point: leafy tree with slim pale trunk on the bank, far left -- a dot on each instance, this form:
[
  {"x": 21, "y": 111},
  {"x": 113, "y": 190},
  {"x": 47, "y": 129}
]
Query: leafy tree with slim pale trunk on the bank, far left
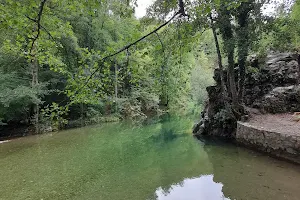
[{"x": 33, "y": 38}]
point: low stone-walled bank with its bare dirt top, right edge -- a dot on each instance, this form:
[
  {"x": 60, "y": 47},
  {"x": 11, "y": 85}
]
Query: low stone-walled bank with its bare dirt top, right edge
[{"x": 277, "y": 135}]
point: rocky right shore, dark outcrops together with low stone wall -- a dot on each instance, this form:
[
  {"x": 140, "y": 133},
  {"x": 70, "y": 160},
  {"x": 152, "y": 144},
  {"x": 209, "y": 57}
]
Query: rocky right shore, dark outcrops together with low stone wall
[{"x": 271, "y": 87}]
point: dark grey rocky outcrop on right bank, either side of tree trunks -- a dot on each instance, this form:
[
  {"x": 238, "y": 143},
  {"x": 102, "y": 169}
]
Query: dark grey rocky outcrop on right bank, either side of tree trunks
[{"x": 269, "y": 87}]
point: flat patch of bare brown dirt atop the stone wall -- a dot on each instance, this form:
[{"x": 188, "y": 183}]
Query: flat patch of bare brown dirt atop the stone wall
[{"x": 282, "y": 123}]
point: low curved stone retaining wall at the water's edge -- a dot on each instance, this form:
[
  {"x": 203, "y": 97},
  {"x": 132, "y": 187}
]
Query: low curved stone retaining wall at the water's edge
[{"x": 278, "y": 144}]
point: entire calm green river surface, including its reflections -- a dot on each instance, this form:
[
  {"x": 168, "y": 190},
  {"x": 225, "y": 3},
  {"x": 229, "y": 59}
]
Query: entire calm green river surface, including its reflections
[{"x": 158, "y": 161}]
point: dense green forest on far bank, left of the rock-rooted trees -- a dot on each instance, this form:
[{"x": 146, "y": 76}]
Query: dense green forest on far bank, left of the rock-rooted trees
[{"x": 52, "y": 66}]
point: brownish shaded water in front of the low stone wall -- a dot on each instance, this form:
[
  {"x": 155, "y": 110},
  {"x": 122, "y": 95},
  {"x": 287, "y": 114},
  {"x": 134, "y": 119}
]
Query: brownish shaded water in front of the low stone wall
[{"x": 249, "y": 175}]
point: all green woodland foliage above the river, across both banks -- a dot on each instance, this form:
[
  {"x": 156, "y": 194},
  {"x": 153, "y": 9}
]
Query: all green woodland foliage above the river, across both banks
[{"x": 60, "y": 59}]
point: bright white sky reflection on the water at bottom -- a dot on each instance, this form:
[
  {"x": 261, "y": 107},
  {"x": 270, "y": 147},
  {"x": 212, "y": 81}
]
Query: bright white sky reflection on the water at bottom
[{"x": 202, "y": 188}]
